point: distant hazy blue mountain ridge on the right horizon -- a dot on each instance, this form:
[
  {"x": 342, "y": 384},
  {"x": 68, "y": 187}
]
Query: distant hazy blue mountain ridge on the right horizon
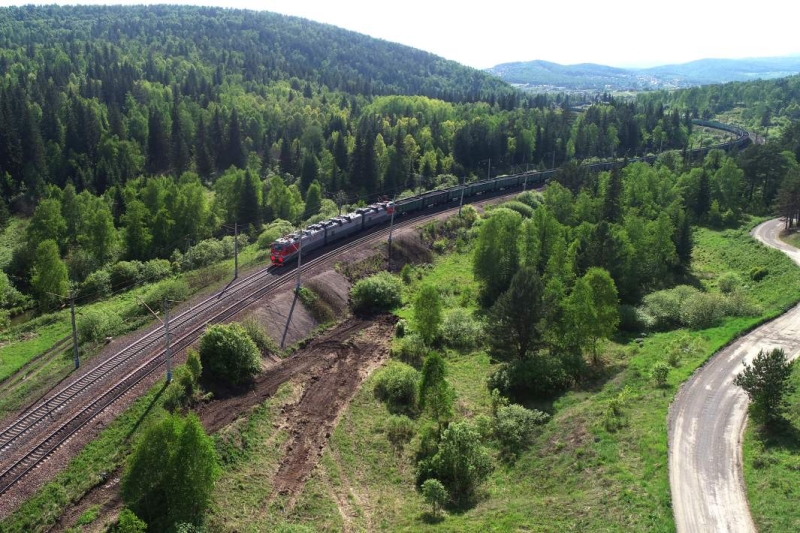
[{"x": 591, "y": 76}]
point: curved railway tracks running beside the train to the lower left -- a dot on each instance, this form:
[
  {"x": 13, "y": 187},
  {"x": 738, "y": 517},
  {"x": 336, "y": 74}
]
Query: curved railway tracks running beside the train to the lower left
[{"x": 36, "y": 434}]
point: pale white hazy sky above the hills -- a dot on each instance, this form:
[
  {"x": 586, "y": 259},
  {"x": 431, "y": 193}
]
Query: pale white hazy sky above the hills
[{"x": 488, "y": 32}]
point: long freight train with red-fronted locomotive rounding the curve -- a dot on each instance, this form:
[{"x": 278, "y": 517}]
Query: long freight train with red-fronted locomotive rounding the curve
[{"x": 286, "y": 249}]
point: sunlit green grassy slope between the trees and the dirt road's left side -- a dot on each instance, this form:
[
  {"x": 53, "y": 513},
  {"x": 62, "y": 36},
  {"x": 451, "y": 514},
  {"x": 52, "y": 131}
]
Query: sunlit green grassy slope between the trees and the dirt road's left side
[{"x": 578, "y": 475}]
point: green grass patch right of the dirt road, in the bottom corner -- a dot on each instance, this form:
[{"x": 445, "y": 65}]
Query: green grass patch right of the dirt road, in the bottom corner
[{"x": 772, "y": 469}]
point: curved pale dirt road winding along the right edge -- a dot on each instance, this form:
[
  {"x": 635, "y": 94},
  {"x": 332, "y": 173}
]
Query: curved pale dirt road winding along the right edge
[{"x": 707, "y": 419}]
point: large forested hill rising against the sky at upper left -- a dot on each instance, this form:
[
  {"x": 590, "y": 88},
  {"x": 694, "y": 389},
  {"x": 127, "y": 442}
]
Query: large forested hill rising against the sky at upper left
[{"x": 161, "y": 41}]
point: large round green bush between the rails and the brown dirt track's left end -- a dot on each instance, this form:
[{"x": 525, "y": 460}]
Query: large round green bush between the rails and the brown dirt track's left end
[{"x": 227, "y": 353}]
